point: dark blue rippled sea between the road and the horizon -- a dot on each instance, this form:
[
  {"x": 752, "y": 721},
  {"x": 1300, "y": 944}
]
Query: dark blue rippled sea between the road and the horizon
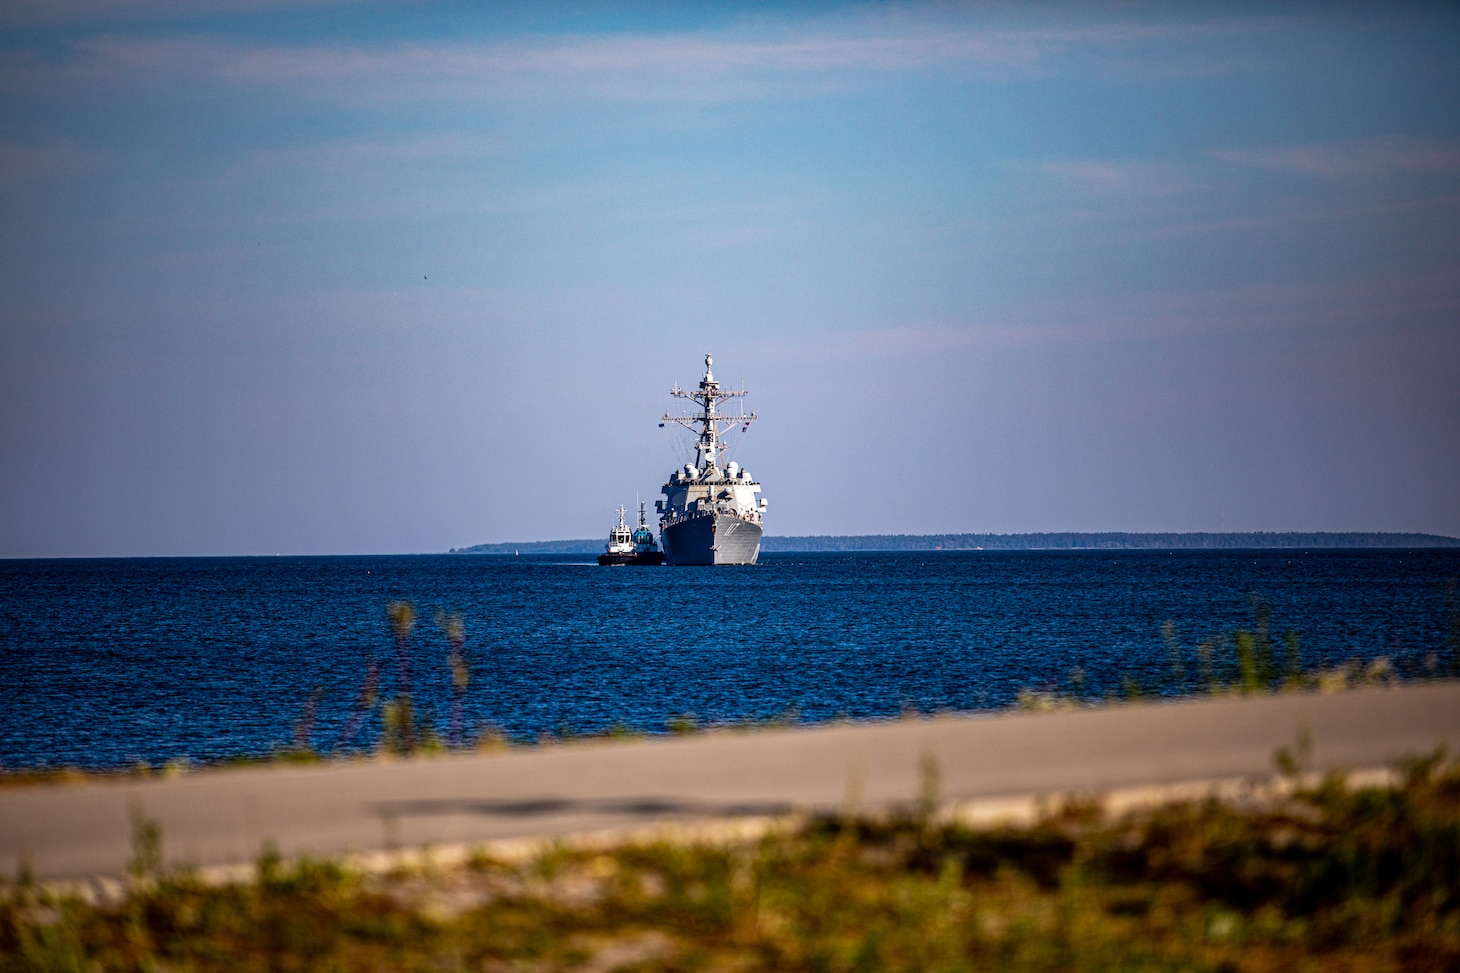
[{"x": 110, "y": 663}]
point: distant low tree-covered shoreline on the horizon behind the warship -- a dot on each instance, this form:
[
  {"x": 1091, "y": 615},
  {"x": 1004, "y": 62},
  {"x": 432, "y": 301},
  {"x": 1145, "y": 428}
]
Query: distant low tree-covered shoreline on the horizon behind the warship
[{"x": 1062, "y": 541}]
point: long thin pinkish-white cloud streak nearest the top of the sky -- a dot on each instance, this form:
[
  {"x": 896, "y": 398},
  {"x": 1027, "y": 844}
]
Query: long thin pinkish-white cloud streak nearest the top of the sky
[{"x": 776, "y": 58}]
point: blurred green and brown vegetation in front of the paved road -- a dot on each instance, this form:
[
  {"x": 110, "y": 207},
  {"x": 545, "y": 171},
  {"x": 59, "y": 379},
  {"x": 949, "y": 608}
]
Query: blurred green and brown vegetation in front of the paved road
[{"x": 1329, "y": 879}]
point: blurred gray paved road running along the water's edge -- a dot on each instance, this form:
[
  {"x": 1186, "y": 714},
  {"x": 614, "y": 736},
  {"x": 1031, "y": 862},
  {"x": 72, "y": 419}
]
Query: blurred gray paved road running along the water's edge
[{"x": 224, "y": 817}]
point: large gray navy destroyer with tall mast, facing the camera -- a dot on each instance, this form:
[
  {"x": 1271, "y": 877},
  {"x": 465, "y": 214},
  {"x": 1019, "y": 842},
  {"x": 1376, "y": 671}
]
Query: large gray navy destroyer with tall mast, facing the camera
[{"x": 712, "y": 514}]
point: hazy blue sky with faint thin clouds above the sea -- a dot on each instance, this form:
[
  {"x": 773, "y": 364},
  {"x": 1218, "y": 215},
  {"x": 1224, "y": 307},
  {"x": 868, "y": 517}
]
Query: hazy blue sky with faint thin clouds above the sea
[{"x": 372, "y": 278}]
